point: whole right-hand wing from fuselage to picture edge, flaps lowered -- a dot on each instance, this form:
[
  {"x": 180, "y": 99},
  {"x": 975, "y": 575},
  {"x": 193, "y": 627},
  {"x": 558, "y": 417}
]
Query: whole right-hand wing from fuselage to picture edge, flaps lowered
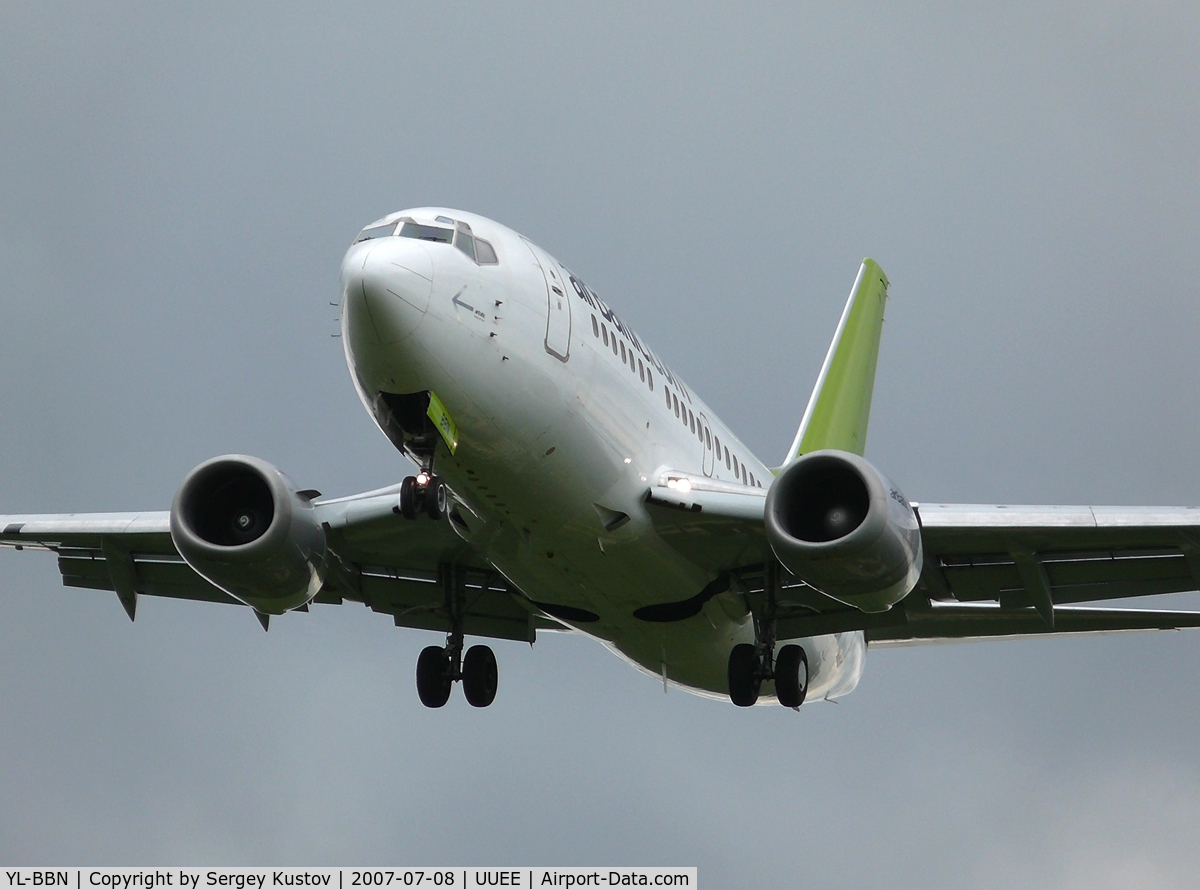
[{"x": 989, "y": 572}]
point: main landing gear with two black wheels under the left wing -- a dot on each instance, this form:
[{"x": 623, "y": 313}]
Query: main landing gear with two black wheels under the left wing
[{"x": 439, "y": 667}]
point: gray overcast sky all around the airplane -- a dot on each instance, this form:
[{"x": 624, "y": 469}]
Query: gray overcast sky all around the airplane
[{"x": 177, "y": 189}]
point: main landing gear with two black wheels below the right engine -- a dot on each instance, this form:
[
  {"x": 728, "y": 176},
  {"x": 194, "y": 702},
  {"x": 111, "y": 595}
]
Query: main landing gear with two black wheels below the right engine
[{"x": 751, "y": 664}]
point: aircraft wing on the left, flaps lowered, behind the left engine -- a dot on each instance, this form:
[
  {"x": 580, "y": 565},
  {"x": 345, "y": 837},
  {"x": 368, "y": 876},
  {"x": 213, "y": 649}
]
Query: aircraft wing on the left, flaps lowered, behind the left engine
[{"x": 377, "y": 558}]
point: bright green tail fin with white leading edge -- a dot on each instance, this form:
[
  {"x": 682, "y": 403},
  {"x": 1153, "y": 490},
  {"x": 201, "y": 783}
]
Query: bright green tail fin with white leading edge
[{"x": 841, "y": 405}]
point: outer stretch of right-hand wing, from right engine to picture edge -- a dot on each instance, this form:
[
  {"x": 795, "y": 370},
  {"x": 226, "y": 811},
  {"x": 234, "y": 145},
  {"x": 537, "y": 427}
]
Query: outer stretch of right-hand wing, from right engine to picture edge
[{"x": 1016, "y": 570}]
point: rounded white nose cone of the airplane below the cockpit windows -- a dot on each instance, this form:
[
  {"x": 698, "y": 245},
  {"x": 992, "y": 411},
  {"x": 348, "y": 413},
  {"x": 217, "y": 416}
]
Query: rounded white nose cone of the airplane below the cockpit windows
[{"x": 387, "y": 286}]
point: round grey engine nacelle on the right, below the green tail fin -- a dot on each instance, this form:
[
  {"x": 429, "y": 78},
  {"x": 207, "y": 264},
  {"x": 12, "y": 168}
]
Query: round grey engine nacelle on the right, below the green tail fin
[{"x": 838, "y": 524}]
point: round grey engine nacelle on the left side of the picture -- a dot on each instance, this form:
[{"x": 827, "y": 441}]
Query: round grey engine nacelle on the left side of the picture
[{"x": 239, "y": 524}]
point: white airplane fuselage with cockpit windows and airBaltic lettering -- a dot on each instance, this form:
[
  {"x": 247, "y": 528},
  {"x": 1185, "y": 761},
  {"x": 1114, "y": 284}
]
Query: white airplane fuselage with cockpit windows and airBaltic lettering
[{"x": 565, "y": 418}]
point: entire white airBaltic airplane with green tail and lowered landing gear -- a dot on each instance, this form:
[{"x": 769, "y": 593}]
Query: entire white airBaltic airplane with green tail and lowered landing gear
[{"x": 571, "y": 482}]
